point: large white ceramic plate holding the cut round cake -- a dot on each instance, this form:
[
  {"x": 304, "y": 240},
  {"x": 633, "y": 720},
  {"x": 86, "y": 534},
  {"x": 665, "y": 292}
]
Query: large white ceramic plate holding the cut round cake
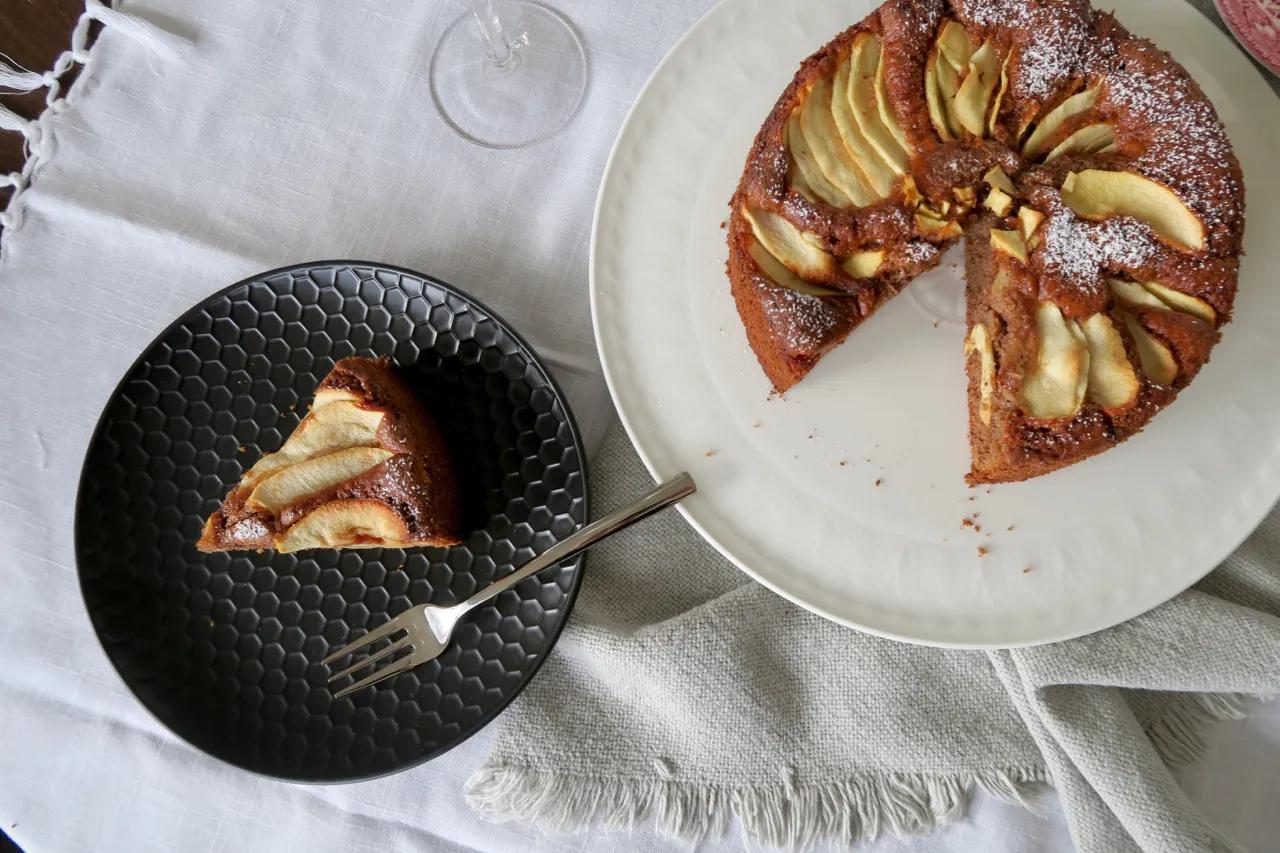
[{"x": 788, "y": 489}]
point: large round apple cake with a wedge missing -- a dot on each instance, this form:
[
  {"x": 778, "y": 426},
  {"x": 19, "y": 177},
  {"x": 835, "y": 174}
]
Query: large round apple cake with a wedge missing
[{"x": 1100, "y": 200}]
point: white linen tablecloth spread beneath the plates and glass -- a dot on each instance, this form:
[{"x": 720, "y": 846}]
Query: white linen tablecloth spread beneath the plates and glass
[{"x": 130, "y": 221}]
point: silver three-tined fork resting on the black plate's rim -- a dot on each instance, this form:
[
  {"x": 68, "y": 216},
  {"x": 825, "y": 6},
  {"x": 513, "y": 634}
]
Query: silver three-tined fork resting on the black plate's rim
[{"x": 428, "y": 628}]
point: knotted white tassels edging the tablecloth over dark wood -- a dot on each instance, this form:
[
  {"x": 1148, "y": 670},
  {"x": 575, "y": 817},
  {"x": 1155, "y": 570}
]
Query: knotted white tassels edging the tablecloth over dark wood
[{"x": 39, "y": 147}]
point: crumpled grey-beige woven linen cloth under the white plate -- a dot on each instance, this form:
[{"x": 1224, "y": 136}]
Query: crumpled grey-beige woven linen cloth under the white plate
[{"x": 685, "y": 692}]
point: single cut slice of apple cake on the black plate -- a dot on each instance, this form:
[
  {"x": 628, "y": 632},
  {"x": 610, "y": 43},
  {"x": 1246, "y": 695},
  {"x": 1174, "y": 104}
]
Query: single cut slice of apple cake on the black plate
[{"x": 367, "y": 468}]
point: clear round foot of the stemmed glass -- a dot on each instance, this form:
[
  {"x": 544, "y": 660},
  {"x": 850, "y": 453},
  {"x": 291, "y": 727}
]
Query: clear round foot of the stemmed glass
[{"x": 524, "y": 102}]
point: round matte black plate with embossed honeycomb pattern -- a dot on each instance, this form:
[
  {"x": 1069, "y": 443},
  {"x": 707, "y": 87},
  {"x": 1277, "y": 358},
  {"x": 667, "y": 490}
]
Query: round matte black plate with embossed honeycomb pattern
[{"x": 226, "y": 649}]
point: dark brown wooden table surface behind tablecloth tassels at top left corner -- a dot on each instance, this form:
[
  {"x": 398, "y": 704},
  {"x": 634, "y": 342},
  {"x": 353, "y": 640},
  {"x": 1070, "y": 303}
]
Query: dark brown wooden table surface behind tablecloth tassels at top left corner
[{"x": 33, "y": 34}]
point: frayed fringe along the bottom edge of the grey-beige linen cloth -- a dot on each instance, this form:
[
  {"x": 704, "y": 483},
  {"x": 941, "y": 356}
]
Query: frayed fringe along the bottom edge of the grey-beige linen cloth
[{"x": 790, "y": 815}]
